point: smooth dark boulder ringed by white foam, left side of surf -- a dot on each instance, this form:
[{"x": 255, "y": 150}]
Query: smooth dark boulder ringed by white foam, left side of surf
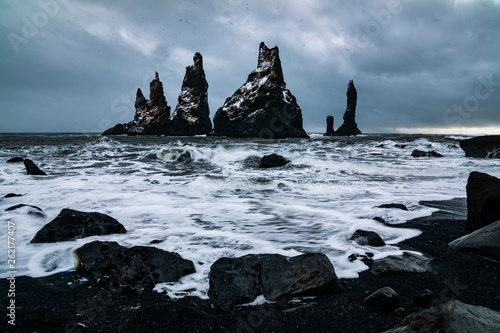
[{"x": 72, "y": 224}]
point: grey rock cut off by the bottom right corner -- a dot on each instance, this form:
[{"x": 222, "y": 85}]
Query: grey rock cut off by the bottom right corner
[{"x": 453, "y": 316}]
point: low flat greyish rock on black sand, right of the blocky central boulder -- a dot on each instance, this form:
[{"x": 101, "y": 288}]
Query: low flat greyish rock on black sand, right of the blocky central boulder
[{"x": 408, "y": 262}]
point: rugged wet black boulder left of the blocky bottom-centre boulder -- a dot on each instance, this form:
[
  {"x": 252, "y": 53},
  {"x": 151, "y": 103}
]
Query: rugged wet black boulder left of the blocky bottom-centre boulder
[{"x": 138, "y": 267}]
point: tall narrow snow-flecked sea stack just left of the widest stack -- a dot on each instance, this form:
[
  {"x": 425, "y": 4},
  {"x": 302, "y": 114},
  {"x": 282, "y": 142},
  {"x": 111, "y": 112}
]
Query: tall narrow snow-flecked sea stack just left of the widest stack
[{"x": 192, "y": 114}]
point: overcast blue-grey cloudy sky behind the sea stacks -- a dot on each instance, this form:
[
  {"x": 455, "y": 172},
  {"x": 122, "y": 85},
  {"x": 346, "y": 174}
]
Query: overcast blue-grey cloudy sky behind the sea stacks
[{"x": 418, "y": 66}]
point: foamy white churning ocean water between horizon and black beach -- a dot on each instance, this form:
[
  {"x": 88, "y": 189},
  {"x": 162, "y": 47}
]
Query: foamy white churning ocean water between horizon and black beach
[{"x": 206, "y": 198}]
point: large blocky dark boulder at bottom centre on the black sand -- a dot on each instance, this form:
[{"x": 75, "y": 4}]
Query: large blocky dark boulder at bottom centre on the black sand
[{"x": 240, "y": 280}]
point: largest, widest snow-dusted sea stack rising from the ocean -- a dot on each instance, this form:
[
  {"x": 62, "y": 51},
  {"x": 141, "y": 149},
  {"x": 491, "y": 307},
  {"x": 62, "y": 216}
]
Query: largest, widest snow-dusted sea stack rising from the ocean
[{"x": 262, "y": 107}]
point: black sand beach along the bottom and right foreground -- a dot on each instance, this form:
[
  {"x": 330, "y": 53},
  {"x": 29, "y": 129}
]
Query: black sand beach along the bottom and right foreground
[{"x": 60, "y": 303}]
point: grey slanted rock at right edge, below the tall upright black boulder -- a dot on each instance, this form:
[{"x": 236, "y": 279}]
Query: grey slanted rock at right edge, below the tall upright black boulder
[{"x": 484, "y": 241}]
